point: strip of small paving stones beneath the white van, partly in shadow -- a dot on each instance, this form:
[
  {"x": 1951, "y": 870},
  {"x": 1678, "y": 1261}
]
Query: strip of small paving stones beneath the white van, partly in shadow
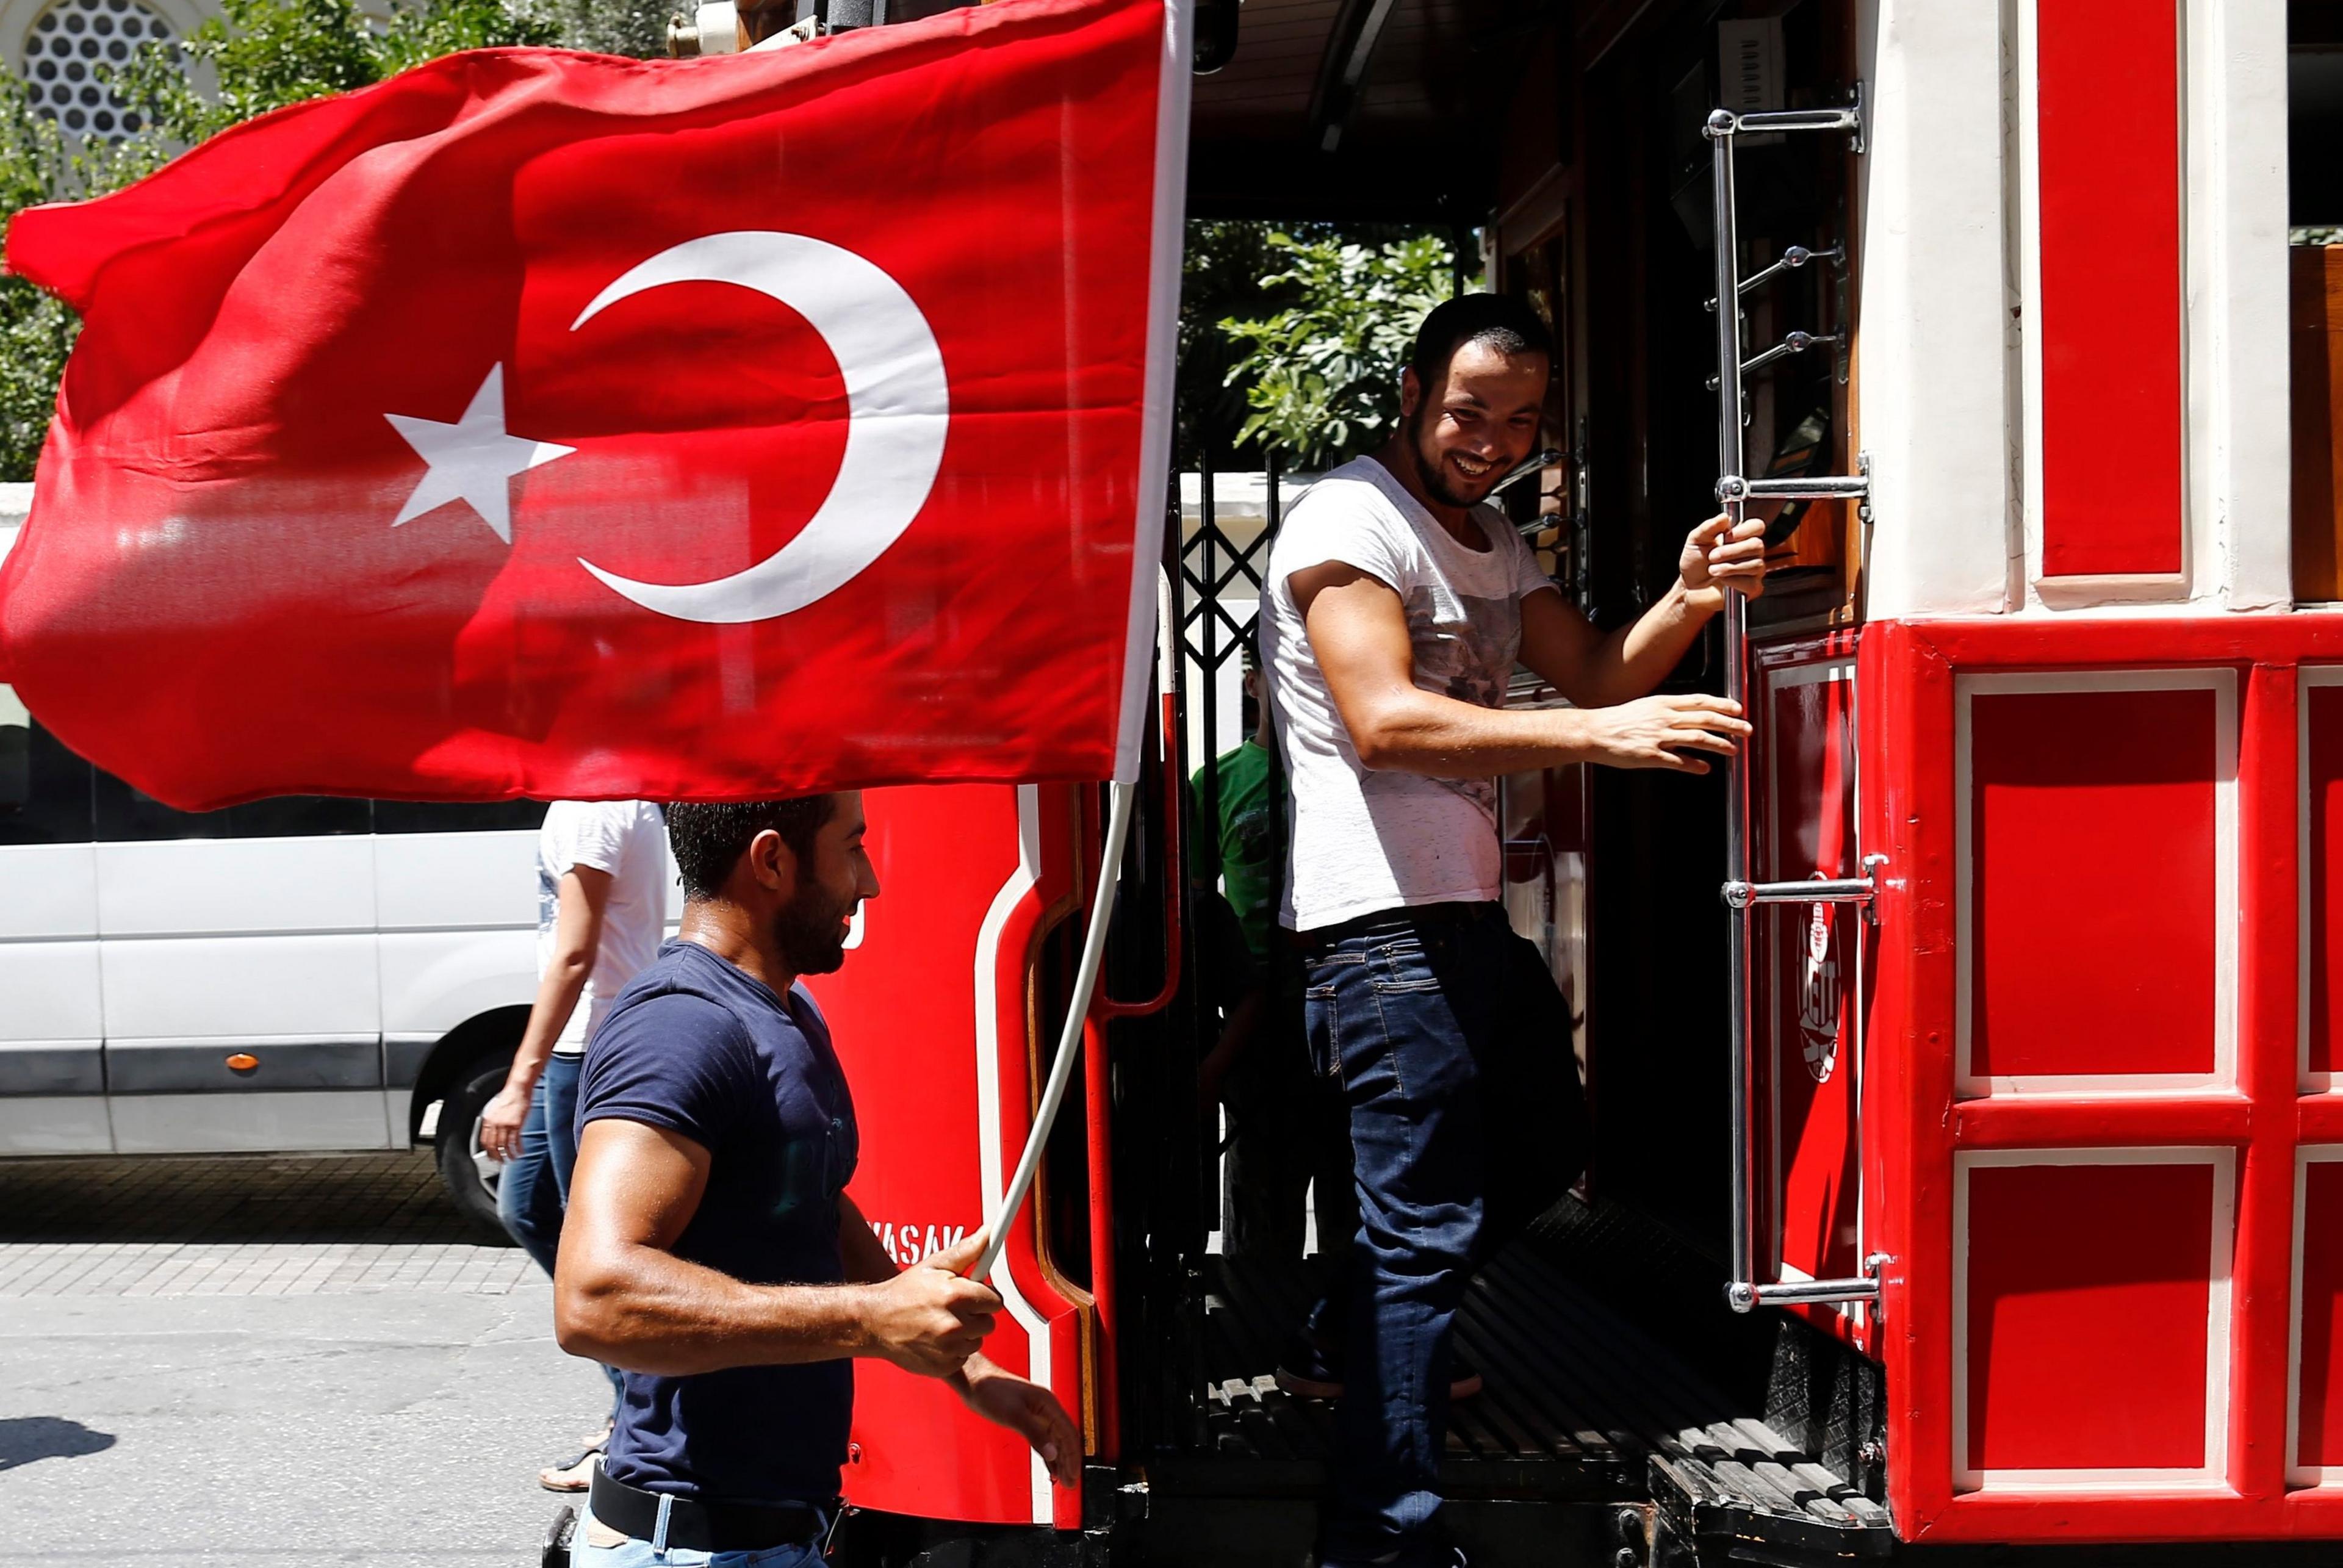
[{"x": 243, "y": 1227}]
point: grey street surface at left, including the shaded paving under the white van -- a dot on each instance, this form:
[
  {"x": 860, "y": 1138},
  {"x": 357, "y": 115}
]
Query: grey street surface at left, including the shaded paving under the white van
[{"x": 271, "y": 1363}]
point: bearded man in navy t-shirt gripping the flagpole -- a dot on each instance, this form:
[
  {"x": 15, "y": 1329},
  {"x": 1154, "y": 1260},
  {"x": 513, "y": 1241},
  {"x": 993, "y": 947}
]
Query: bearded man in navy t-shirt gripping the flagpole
[{"x": 711, "y": 1248}]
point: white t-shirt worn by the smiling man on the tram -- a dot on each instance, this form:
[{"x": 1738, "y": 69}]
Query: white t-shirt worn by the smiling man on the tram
[{"x": 1379, "y": 840}]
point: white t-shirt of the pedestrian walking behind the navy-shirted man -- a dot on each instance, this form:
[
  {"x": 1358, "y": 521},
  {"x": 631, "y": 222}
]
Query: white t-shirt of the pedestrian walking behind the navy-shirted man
[{"x": 629, "y": 840}]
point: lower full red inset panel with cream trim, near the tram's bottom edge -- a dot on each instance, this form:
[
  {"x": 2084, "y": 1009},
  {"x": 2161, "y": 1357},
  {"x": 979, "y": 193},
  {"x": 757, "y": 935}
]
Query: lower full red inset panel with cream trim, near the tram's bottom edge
[{"x": 2089, "y": 1293}]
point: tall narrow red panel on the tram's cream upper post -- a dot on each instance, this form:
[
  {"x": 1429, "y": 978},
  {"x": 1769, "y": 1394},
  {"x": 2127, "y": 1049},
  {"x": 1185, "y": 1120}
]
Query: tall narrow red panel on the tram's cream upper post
[{"x": 2110, "y": 313}]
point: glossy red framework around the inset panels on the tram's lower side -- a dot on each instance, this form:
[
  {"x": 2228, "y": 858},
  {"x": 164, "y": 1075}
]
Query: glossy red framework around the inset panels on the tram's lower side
[{"x": 1915, "y": 1124}]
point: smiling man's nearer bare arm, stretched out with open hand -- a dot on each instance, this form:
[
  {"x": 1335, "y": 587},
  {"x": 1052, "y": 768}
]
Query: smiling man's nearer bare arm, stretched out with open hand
[{"x": 1360, "y": 639}]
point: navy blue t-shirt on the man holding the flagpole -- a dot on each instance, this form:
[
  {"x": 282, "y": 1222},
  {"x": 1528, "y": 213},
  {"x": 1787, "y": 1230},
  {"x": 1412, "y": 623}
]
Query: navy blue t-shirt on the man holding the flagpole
[{"x": 702, "y": 1049}]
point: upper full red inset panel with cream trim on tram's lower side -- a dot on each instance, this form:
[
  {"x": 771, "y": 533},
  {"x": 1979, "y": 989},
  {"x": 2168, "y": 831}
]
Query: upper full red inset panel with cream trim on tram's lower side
[{"x": 2093, "y": 882}]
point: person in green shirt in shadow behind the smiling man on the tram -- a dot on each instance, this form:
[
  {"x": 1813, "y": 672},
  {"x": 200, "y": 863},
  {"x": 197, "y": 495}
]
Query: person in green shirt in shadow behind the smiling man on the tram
[{"x": 1259, "y": 1070}]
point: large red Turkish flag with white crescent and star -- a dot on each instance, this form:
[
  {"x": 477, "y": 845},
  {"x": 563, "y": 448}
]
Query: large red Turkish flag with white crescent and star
[{"x": 559, "y": 425}]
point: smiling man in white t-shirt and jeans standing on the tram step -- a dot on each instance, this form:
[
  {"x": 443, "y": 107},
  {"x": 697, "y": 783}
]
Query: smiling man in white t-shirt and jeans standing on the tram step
[{"x": 1395, "y": 613}]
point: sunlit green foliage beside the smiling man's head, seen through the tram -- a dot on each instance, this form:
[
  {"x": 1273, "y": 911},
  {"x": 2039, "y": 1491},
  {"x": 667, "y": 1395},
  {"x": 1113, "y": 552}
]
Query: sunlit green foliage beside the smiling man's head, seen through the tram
[{"x": 1320, "y": 374}]
